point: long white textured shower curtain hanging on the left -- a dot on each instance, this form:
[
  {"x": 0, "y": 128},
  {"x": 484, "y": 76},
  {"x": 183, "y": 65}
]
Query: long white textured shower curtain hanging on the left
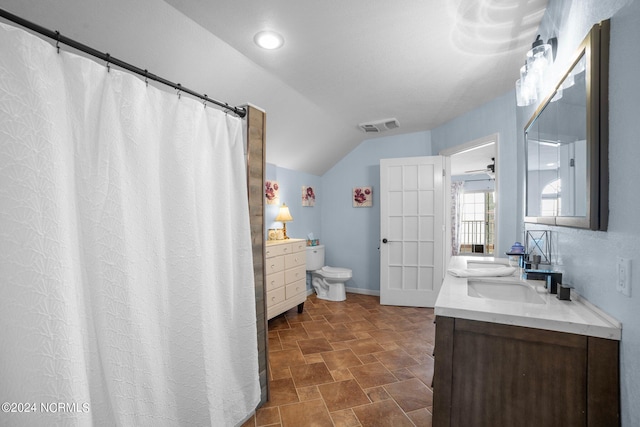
[{"x": 127, "y": 294}]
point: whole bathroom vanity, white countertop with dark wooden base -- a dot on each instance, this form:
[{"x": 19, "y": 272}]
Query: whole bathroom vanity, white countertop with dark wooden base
[{"x": 506, "y": 358}]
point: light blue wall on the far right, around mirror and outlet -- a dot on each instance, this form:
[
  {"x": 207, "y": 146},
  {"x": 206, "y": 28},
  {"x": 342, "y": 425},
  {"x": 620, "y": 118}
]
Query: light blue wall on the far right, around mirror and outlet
[{"x": 588, "y": 258}]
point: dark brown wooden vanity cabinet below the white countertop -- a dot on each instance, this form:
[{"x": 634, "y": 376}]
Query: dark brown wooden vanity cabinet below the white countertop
[{"x": 489, "y": 374}]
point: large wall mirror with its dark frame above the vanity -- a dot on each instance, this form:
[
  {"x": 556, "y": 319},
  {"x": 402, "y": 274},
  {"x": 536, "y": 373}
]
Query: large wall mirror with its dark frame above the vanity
[{"x": 566, "y": 143}]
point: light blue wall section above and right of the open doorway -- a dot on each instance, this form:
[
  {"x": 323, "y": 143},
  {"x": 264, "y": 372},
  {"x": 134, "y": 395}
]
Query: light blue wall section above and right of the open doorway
[{"x": 497, "y": 116}]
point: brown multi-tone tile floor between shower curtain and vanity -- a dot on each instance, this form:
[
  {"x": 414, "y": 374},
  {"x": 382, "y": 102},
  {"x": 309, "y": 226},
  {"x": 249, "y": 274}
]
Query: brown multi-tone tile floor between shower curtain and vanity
[{"x": 350, "y": 363}]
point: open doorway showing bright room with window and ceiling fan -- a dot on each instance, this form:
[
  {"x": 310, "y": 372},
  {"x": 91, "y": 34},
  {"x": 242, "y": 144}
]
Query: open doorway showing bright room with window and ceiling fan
[{"x": 472, "y": 197}]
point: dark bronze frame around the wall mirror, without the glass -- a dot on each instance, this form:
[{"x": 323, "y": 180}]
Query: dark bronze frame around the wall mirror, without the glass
[{"x": 595, "y": 48}]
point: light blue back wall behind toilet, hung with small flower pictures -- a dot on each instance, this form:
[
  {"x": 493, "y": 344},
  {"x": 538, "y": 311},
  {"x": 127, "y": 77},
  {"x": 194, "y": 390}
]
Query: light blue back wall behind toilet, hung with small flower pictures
[{"x": 350, "y": 235}]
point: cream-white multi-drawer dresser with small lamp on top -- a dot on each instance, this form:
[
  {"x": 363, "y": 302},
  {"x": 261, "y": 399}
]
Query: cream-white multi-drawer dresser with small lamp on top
[{"x": 285, "y": 266}]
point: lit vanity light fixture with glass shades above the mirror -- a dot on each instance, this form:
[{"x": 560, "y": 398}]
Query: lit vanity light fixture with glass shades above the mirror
[{"x": 532, "y": 73}]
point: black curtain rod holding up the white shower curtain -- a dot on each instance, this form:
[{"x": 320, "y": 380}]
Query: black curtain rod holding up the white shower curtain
[{"x": 59, "y": 38}]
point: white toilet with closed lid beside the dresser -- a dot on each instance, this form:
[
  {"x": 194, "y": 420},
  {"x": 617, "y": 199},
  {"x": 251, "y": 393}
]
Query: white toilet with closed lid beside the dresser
[{"x": 327, "y": 281}]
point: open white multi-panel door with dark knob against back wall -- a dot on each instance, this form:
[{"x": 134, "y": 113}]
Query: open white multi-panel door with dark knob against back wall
[{"x": 411, "y": 230}]
